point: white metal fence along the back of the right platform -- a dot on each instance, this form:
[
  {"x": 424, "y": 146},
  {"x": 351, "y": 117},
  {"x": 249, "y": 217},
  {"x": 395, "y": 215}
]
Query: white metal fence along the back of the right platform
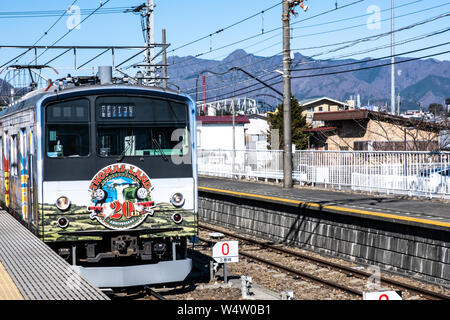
[{"x": 410, "y": 173}]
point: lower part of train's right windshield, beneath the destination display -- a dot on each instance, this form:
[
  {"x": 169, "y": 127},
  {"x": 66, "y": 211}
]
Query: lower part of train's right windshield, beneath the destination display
[{"x": 142, "y": 141}]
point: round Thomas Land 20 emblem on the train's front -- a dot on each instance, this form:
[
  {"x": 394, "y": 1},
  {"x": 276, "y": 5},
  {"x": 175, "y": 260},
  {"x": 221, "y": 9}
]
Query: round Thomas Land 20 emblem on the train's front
[{"x": 120, "y": 196}]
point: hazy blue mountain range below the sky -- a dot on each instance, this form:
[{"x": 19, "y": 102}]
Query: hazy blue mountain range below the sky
[{"x": 421, "y": 81}]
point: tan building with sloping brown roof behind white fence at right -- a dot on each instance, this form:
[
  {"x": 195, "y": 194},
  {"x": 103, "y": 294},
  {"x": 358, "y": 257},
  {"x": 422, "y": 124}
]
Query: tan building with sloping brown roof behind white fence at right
[{"x": 366, "y": 130}]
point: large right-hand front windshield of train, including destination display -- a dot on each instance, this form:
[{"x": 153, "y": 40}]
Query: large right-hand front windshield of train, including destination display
[{"x": 140, "y": 126}]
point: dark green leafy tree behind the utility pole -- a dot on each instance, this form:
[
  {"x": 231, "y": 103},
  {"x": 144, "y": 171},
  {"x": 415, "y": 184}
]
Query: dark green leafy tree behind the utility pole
[{"x": 299, "y": 124}]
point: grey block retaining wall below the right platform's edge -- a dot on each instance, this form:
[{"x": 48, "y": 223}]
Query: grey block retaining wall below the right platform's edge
[{"x": 412, "y": 250}]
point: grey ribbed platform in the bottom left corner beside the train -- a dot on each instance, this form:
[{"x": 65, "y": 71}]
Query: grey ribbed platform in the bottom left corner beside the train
[{"x": 30, "y": 270}]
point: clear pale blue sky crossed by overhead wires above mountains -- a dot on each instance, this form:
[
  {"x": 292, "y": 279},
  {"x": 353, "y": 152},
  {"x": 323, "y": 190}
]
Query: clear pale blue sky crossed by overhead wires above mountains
[{"x": 315, "y": 33}]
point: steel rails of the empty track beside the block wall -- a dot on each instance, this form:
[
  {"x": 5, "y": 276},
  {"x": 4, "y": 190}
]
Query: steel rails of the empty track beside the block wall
[{"x": 323, "y": 263}]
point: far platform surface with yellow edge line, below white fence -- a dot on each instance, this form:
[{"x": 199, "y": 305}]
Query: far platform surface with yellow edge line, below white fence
[{"x": 432, "y": 214}]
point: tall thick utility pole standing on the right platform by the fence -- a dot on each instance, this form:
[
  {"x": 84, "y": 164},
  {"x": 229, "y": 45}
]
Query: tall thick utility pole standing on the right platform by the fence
[{"x": 287, "y": 154}]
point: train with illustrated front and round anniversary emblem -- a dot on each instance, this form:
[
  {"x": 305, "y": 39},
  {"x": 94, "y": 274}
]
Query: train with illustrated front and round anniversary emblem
[{"x": 104, "y": 171}]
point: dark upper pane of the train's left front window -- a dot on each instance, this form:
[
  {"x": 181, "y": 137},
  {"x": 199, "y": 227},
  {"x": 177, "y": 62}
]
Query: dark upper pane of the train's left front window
[{"x": 68, "y": 111}]
